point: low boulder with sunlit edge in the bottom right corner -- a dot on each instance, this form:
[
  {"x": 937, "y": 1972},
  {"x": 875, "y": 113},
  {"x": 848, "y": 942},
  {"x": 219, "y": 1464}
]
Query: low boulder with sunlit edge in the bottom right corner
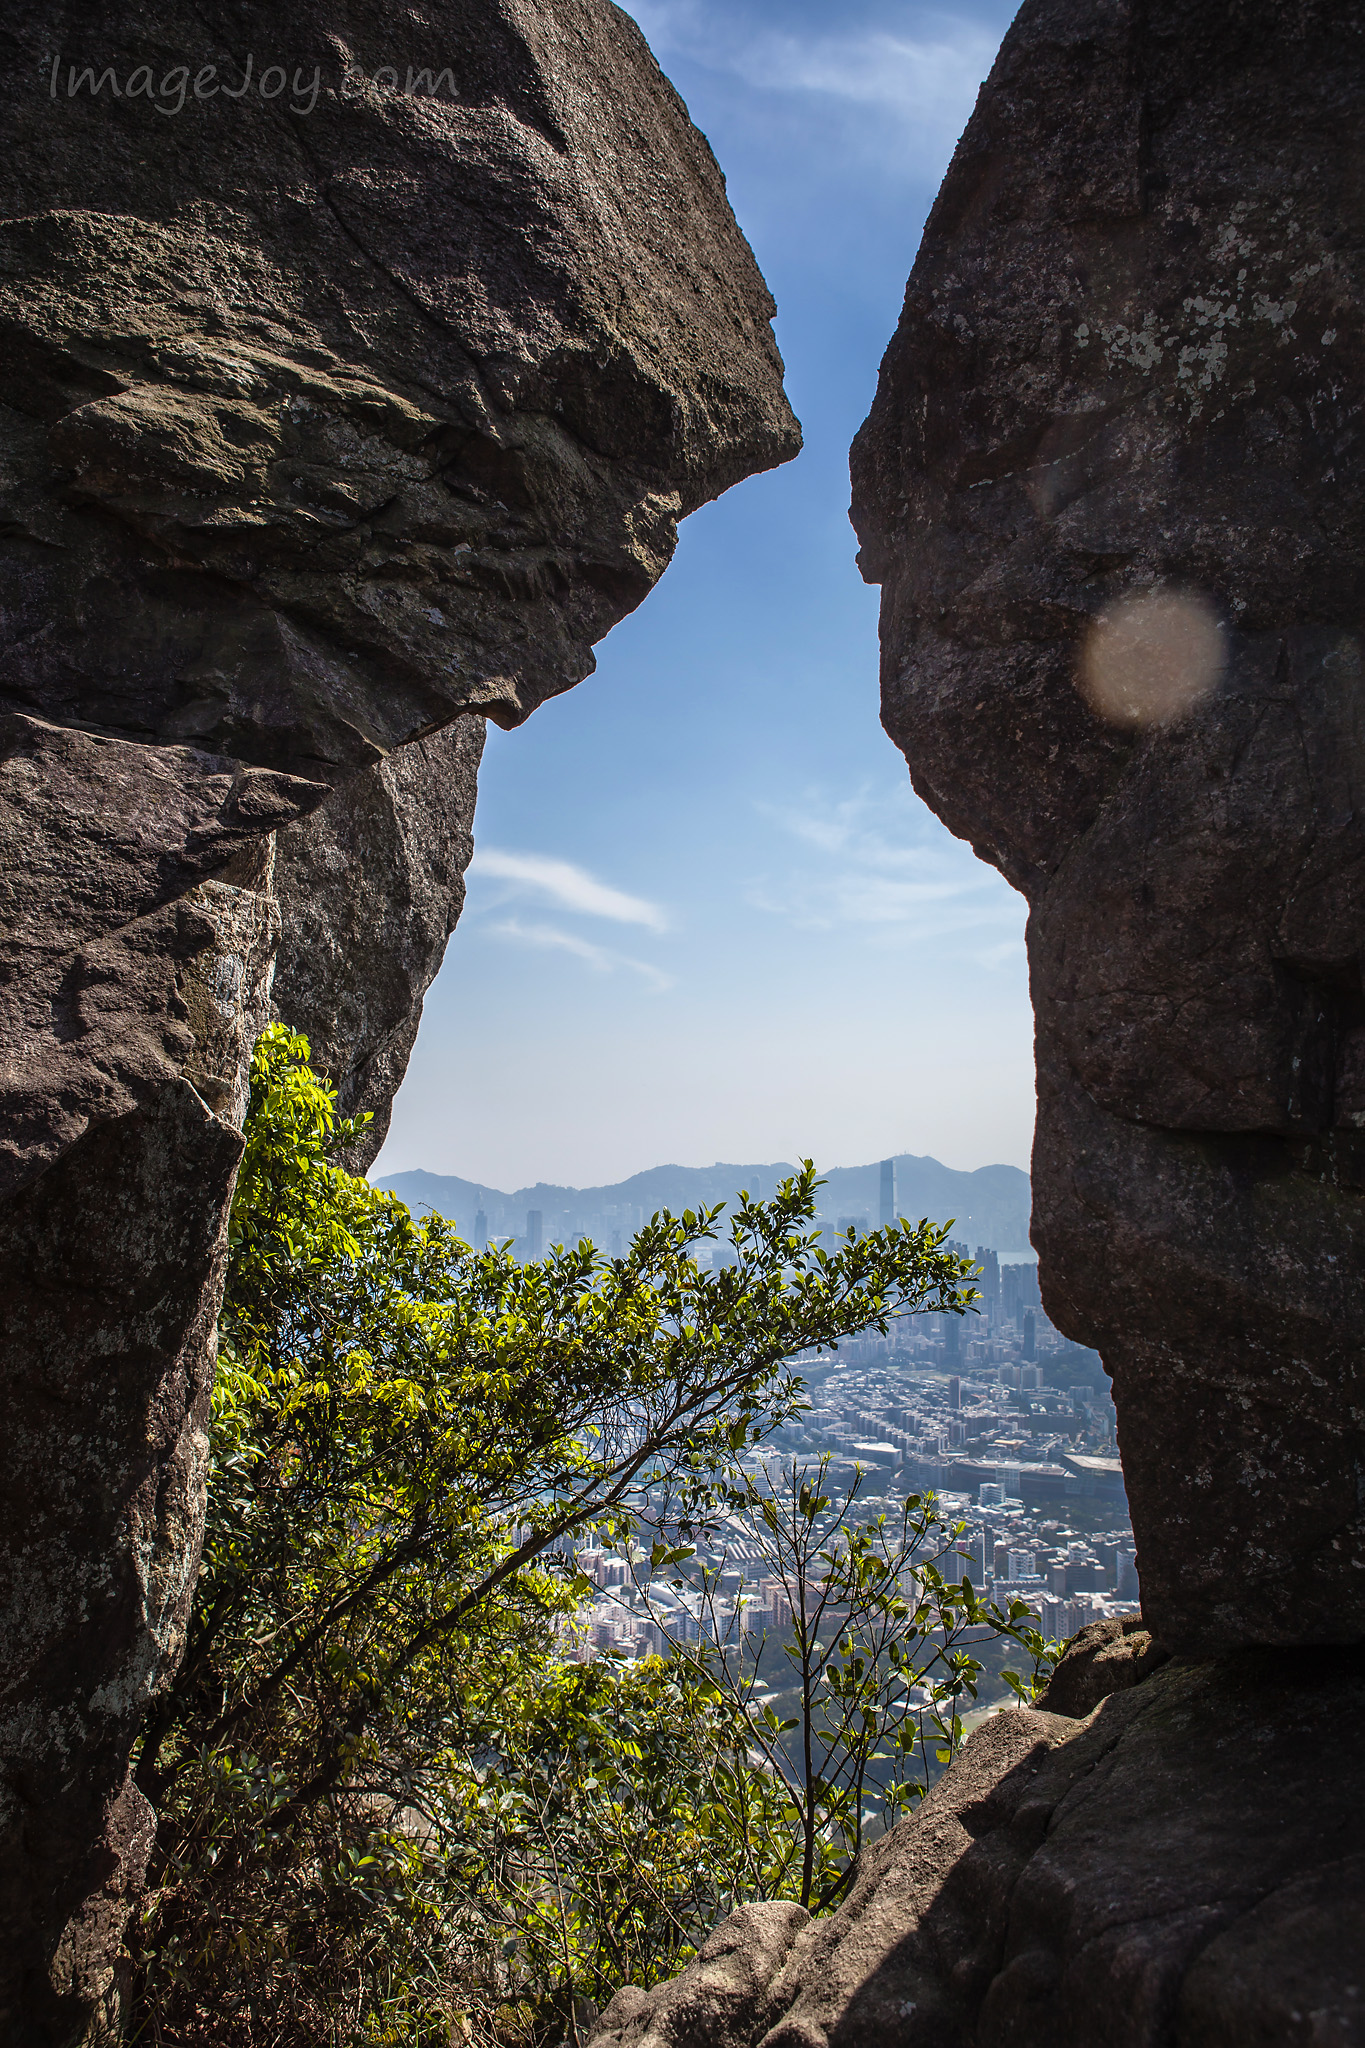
[{"x": 1178, "y": 1871}]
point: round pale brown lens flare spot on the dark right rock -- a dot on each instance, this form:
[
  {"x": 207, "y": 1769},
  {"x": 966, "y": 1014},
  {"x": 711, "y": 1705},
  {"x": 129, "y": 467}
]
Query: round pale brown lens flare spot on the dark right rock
[{"x": 1151, "y": 658}]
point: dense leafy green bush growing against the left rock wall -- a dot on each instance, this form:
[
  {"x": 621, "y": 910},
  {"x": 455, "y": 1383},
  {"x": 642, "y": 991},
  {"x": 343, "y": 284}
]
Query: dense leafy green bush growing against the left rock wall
[{"x": 406, "y": 1439}]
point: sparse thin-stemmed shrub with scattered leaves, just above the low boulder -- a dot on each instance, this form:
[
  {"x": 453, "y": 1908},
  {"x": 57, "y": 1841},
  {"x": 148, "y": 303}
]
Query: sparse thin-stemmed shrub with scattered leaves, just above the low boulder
[{"x": 879, "y": 1670}]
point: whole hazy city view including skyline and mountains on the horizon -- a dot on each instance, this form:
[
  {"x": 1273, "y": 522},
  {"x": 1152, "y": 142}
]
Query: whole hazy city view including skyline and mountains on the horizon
[{"x": 998, "y": 1414}]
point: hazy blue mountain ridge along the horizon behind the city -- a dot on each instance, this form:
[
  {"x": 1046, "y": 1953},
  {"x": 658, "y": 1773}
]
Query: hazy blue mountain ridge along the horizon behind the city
[{"x": 992, "y": 1205}]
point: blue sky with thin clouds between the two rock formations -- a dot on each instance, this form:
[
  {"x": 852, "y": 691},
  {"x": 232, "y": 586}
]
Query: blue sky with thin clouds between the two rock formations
[{"x": 707, "y": 916}]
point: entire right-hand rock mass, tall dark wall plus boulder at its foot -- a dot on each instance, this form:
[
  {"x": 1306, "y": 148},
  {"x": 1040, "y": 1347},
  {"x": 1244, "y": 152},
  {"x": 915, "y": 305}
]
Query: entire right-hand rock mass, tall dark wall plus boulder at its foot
[{"x": 1114, "y": 495}]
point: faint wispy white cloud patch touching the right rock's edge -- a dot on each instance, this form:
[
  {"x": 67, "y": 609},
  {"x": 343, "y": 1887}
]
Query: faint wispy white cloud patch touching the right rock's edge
[{"x": 879, "y": 873}]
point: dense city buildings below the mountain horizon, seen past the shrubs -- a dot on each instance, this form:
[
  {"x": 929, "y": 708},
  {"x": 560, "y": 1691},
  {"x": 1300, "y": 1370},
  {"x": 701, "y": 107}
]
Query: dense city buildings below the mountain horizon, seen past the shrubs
[{"x": 996, "y": 1414}]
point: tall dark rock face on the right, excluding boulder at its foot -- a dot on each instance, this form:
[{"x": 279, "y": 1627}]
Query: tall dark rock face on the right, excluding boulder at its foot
[{"x": 1131, "y": 364}]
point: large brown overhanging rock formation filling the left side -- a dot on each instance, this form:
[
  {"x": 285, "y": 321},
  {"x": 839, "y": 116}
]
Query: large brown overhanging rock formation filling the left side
[{"x": 359, "y": 370}]
